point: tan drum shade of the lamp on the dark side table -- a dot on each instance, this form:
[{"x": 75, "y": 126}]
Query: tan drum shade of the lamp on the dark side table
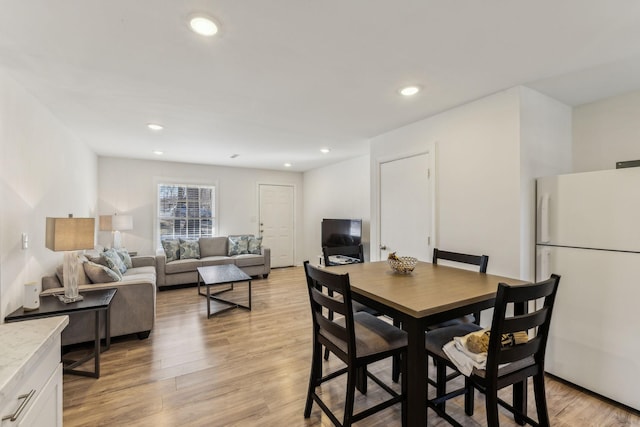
[{"x": 70, "y": 234}]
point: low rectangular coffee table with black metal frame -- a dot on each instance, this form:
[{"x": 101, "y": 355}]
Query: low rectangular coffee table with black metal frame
[{"x": 222, "y": 275}]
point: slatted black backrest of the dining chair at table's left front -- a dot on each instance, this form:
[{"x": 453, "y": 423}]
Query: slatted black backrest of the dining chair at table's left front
[{"x": 337, "y": 299}]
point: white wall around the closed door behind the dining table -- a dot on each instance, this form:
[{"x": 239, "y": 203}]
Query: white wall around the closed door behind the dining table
[{"x": 477, "y": 173}]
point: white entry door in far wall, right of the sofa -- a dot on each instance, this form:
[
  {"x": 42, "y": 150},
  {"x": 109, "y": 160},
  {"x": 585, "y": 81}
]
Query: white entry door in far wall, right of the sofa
[{"x": 276, "y": 222}]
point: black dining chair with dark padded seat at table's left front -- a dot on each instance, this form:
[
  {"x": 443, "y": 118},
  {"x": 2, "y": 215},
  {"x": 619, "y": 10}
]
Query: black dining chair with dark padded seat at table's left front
[{"x": 357, "y": 339}]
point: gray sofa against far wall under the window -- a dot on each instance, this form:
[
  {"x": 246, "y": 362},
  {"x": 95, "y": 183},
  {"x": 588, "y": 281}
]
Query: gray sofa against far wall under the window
[{"x": 212, "y": 251}]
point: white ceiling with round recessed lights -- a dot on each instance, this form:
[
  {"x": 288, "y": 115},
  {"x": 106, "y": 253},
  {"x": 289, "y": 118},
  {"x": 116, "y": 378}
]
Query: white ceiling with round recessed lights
[{"x": 284, "y": 78}]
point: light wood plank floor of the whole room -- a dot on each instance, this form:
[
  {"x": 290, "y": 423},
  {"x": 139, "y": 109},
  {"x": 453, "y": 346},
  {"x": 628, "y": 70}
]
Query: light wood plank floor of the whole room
[{"x": 246, "y": 368}]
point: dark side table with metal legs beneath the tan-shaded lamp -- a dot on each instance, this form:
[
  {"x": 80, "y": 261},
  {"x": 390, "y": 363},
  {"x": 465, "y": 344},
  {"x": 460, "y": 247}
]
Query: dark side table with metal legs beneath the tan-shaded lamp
[{"x": 98, "y": 300}]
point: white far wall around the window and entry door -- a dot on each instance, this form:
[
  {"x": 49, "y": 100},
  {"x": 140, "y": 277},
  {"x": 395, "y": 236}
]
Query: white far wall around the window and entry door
[{"x": 129, "y": 187}]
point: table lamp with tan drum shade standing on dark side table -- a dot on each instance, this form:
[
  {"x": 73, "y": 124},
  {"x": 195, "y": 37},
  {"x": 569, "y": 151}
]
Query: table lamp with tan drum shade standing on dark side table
[{"x": 69, "y": 235}]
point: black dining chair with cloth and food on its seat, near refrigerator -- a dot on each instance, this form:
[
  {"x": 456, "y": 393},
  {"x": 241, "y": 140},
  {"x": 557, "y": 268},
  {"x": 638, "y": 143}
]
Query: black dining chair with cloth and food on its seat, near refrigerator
[{"x": 506, "y": 363}]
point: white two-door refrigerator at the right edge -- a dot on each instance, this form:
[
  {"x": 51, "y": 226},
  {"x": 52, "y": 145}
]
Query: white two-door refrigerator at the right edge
[{"x": 588, "y": 231}]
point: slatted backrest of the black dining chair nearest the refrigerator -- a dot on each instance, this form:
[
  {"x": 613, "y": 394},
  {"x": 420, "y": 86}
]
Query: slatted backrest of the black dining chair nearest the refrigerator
[{"x": 535, "y": 323}]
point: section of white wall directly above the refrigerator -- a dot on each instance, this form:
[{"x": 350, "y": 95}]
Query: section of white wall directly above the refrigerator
[{"x": 605, "y": 132}]
